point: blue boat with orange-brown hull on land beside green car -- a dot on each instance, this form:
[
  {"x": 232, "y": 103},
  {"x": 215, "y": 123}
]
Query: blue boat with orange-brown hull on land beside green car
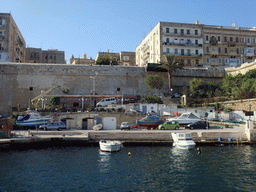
[{"x": 150, "y": 121}]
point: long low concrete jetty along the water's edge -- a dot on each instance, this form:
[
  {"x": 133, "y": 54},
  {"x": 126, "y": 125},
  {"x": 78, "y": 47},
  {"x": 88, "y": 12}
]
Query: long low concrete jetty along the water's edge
[{"x": 235, "y": 135}]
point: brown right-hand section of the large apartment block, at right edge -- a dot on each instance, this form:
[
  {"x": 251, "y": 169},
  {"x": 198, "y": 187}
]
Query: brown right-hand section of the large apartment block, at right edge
[{"x": 228, "y": 46}]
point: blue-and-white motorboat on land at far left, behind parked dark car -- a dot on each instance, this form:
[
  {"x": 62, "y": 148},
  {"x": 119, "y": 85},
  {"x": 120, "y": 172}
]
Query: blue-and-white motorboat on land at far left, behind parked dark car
[{"x": 32, "y": 119}]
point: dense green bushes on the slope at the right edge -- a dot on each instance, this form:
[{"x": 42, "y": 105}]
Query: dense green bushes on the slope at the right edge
[{"x": 232, "y": 87}]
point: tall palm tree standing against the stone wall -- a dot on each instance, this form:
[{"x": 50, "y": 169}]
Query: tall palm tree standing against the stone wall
[{"x": 171, "y": 64}]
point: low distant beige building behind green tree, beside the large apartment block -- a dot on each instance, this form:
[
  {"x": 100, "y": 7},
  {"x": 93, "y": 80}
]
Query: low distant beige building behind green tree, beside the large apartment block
[{"x": 123, "y": 58}]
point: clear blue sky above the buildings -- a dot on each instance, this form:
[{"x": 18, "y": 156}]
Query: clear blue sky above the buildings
[{"x": 92, "y": 26}]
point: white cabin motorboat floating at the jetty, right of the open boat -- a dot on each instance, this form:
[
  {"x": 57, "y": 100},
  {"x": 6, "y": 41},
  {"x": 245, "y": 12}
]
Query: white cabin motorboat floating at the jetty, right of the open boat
[{"x": 183, "y": 140}]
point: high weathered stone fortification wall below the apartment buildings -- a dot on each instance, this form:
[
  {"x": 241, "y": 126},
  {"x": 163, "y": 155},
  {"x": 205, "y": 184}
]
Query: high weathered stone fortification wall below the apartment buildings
[{"x": 22, "y": 82}]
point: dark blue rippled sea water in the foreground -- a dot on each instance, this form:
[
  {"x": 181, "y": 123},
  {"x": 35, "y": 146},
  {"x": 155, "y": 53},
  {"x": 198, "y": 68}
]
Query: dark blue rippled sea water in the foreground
[{"x": 147, "y": 169}]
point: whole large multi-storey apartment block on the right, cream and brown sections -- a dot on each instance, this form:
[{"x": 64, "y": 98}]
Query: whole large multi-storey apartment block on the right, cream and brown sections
[{"x": 197, "y": 45}]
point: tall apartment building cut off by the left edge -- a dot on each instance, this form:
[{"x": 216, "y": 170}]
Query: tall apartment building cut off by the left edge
[{"x": 12, "y": 43}]
